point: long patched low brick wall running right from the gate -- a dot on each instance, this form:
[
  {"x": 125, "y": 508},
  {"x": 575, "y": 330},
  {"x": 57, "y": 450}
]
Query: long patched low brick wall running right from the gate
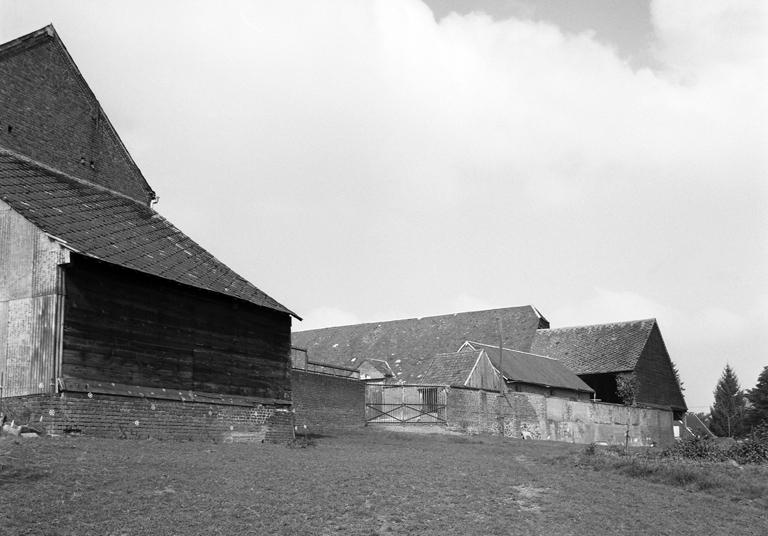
[{"x": 558, "y": 419}]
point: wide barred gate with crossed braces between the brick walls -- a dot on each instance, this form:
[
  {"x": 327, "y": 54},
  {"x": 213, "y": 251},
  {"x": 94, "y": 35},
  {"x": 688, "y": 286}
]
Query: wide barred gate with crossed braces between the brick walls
[{"x": 412, "y": 404}]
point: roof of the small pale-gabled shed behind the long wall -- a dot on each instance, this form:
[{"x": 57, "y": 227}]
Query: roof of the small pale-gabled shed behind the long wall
[{"x": 525, "y": 367}]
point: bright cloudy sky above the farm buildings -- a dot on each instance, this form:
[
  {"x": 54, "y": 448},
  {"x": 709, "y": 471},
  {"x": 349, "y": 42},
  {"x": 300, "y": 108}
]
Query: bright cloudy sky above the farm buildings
[{"x": 373, "y": 160}]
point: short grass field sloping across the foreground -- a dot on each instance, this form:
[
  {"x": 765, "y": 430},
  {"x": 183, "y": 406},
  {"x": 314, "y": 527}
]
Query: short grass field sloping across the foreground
[{"x": 358, "y": 483}]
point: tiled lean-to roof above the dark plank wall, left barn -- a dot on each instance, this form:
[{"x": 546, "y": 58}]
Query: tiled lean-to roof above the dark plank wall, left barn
[{"x": 113, "y": 228}]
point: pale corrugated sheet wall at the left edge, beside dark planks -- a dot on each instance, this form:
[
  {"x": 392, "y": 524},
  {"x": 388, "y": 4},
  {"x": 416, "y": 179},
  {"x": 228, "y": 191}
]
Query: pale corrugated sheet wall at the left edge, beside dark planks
[{"x": 29, "y": 304}]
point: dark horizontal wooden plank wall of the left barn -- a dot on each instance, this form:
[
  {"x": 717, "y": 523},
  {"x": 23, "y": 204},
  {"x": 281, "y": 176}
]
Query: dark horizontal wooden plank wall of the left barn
[{"x": 126, "y": 327}]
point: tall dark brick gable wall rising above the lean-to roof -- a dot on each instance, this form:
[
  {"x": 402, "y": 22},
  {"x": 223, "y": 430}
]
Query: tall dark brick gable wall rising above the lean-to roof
[{"x": 49, "y": 116}]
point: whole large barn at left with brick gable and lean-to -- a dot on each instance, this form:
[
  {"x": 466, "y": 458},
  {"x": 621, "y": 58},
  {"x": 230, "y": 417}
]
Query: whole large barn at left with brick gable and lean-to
[{"x": 112, "y": 321}]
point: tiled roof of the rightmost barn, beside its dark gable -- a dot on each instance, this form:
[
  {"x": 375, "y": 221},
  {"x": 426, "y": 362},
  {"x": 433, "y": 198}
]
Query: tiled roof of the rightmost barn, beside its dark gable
[{"x": 595, "y": 349}]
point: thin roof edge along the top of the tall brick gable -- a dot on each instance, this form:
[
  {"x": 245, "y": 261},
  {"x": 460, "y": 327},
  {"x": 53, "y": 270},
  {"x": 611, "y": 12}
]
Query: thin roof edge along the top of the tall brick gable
[{"x": 48, "y": 35}]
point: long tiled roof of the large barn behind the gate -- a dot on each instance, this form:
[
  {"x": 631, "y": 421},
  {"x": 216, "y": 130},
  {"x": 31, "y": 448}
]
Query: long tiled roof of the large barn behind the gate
[{"x": 407, "y": 345}]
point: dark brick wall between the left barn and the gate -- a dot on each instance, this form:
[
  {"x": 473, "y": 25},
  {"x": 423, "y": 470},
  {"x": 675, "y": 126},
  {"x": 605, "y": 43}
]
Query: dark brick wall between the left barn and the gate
[{"x": 326, "y": 403}]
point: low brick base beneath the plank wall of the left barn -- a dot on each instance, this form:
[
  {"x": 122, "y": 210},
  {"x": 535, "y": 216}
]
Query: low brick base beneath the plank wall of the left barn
[{"x": 144, "y": 418}]
